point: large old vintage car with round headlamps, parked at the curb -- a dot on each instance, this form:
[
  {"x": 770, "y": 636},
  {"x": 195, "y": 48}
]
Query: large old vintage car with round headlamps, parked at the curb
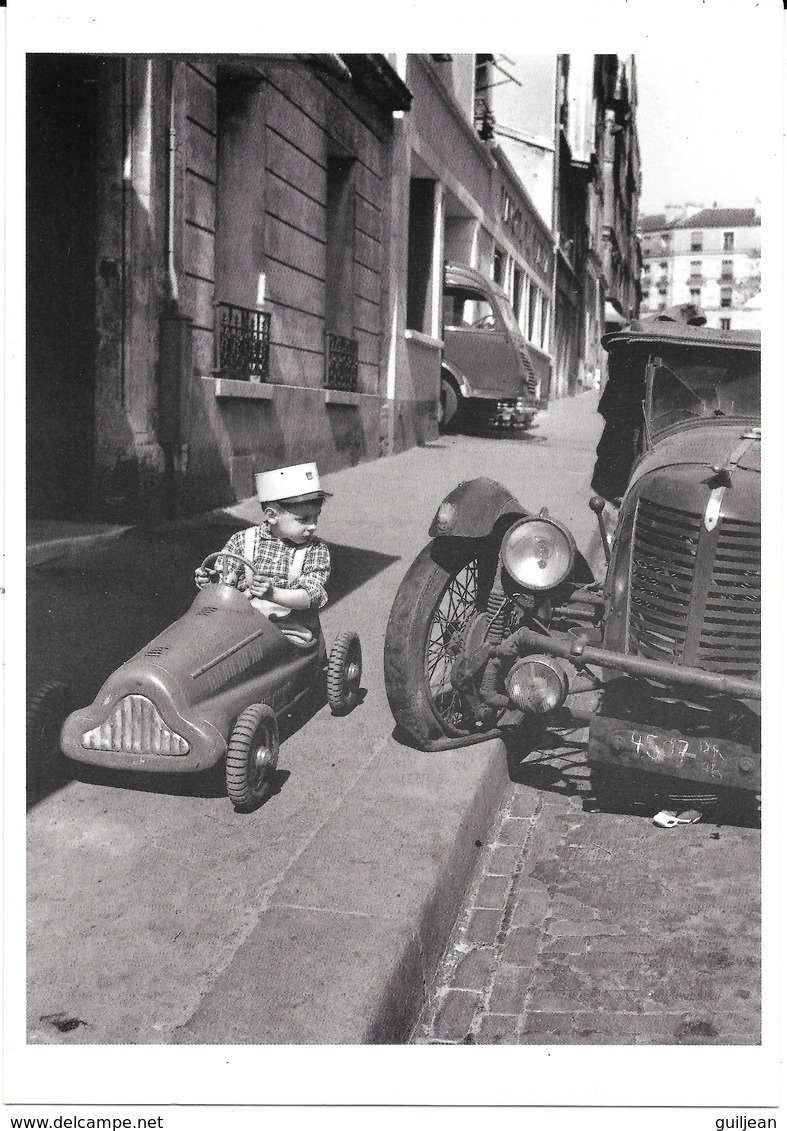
[{"x": 500, "y": 619}]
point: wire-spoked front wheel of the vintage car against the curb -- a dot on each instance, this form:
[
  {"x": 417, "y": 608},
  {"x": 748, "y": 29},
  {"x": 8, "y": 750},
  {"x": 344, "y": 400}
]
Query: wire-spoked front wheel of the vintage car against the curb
[{"x": 443, "y": 593}]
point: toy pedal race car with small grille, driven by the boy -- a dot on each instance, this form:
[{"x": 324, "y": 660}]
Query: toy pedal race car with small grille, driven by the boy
[{"x": 211, "y": 687}]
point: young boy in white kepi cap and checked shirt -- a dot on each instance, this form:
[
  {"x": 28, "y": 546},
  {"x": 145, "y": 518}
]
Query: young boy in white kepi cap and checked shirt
[{"x": 291, "y": 566}]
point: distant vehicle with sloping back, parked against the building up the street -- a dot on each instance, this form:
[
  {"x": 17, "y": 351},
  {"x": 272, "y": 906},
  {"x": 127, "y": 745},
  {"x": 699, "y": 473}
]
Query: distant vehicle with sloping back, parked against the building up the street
[{"x": 488, "y": 375}]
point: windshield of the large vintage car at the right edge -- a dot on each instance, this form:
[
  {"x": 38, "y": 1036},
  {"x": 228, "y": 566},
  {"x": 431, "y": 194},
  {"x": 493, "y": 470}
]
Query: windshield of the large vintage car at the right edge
[{"x": 699, "y": 385}]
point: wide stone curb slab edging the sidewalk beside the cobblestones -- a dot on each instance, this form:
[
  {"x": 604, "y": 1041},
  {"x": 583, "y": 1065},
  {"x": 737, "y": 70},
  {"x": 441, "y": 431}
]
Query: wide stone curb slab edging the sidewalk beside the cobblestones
[{"x": 347, "y": 957}]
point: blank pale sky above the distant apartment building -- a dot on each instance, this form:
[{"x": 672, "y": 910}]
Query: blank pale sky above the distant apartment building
[{"x": 704, "y": 139}]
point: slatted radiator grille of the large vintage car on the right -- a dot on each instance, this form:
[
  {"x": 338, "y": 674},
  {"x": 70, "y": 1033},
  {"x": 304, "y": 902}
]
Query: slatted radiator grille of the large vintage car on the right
[{"x": 663, "y": 588}]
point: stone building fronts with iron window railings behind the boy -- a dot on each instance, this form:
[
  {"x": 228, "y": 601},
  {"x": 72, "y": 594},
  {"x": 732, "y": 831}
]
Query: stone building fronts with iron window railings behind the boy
[{"x": 236, "y": 263}]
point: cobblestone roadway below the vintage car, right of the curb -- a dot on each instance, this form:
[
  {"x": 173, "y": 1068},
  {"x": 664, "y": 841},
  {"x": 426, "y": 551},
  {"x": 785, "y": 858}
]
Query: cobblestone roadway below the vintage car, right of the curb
[{"x": 599, "y": 928}]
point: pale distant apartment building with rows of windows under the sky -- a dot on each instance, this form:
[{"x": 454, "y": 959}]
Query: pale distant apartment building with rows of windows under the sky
[{"x": 710, "y": 257}]
